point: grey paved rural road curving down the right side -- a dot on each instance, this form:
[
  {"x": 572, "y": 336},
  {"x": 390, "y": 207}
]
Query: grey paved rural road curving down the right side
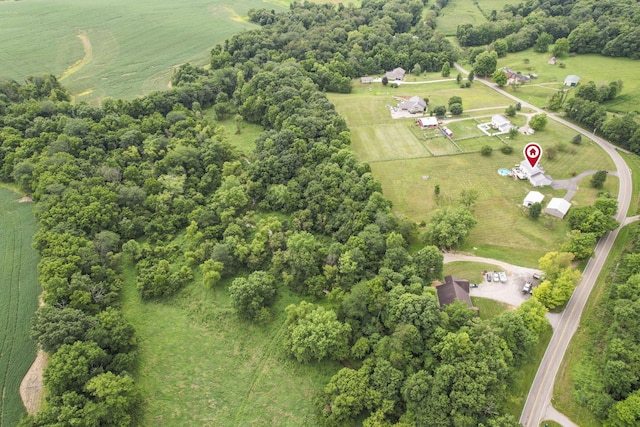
[{"x": 538, "y": 405}]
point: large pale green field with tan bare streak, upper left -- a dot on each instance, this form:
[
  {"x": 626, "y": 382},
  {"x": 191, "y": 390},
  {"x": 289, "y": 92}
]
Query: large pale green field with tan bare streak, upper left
[{"x": 114, "y": 48}]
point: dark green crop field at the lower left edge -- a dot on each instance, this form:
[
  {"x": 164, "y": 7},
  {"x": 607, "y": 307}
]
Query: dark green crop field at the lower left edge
[{"x": 19, "y": 290}]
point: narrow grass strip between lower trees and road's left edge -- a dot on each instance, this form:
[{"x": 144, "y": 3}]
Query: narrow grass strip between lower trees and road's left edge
[{"x": 523, "y": 376}]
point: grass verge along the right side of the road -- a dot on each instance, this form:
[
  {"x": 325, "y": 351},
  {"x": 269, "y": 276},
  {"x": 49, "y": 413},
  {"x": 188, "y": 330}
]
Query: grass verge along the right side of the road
[{"x": 579, "y": 360}]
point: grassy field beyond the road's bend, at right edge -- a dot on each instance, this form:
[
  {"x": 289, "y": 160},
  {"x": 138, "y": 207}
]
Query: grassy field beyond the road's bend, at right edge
[{"x": 598, "y": 68}]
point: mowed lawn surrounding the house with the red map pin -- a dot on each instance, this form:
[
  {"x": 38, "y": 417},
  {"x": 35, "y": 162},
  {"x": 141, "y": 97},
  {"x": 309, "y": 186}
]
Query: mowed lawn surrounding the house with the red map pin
[{"x": 409, "y": 166}]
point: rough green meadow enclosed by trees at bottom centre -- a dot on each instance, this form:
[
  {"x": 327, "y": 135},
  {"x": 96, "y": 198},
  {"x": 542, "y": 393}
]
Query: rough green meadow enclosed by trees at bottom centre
[{"x": 199, "y": 365}]
